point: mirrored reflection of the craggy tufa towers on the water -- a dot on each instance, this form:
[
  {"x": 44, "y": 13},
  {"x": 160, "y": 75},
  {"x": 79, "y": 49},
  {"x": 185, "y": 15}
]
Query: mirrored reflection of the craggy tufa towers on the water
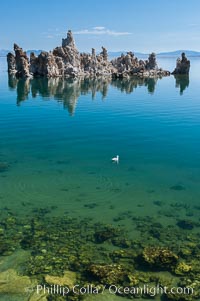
[{"x": 68, "y": 91}]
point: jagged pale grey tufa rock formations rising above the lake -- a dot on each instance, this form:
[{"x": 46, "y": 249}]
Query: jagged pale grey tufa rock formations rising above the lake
[{"x": 66, "y": 61}]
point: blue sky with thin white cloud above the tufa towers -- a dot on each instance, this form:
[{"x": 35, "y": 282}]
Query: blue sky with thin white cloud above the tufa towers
[{"x": 145, "y": 26}]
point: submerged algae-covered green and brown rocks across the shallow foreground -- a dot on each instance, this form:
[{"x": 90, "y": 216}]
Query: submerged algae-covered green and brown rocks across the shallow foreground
[{"x": 68, "y": 251}]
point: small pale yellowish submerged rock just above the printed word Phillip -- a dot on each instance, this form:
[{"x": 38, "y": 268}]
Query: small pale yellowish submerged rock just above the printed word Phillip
[{"x": 68, "y": 279}]
